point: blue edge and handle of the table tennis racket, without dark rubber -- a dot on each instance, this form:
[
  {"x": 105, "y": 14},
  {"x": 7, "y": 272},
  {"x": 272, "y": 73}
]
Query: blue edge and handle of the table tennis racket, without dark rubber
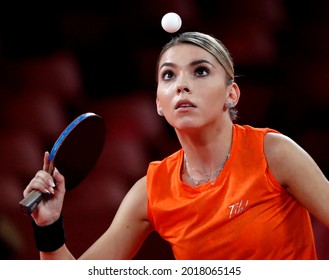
[{"x": 31, "y": 201}]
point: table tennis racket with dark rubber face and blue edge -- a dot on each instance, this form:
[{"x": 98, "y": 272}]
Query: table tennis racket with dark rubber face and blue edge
[{"x": 74, "y": 153}]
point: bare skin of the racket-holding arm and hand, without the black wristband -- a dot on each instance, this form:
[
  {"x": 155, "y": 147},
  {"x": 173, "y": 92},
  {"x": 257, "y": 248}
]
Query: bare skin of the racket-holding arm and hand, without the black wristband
[{"x": 121, "y": 240}]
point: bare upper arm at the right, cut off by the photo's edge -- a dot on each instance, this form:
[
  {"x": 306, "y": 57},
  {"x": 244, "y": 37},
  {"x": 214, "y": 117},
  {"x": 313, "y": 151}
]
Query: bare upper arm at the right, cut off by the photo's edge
[{"x": 299, "y": 174}]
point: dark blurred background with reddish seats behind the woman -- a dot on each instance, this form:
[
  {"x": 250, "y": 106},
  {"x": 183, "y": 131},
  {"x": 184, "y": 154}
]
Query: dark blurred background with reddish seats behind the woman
[{"x": 56, "y": 65}]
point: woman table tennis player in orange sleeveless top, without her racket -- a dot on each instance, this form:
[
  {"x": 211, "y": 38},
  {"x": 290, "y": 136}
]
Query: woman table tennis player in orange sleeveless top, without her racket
[{"x": 231, "y": 192}]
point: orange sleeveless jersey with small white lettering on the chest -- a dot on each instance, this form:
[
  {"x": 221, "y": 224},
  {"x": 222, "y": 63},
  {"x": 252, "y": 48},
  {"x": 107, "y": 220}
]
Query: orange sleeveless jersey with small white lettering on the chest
[{"x": 246, "y": 214}]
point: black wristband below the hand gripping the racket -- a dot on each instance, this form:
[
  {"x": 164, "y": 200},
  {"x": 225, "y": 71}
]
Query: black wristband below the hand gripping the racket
[{"x": 49, "y": 238}]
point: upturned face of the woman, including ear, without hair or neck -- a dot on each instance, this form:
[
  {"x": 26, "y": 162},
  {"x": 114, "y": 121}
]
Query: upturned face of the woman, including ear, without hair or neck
[{"x": 192, "y": 88}]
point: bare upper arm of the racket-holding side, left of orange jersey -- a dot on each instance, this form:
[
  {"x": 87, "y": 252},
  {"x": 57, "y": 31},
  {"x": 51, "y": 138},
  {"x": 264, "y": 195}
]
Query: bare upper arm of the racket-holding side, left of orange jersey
[{"x": 128, "y": 229}]
